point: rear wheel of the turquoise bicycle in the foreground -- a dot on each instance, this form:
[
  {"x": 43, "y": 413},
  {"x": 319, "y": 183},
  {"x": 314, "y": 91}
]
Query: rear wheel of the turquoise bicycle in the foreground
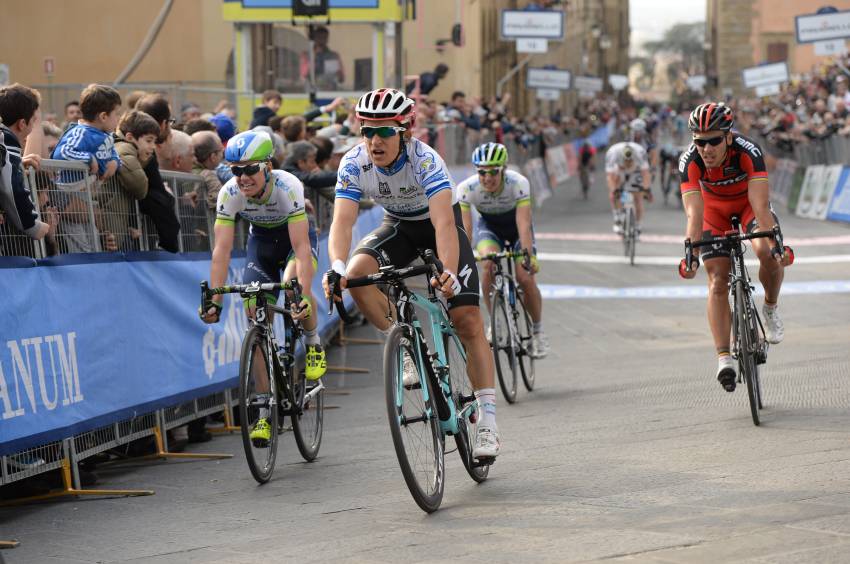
[{"x": 464, "y": 398}]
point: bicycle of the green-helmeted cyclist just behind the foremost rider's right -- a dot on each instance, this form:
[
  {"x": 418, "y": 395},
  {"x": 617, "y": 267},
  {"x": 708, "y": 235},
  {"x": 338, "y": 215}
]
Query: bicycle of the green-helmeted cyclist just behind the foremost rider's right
[{"x": 511, "y": 328}]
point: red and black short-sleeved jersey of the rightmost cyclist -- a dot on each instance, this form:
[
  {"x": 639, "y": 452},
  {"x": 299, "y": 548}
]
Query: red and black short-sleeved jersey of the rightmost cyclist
[{"x": 744, "y": 162}]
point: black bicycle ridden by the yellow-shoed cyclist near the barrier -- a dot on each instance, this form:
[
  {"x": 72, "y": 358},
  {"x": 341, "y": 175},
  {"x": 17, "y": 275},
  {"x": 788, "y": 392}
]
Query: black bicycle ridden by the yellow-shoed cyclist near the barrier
[{"x": 288, "y": 393}]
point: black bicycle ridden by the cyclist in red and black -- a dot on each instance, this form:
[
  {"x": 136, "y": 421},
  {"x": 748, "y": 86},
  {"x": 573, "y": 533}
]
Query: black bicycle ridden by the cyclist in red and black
[{"x": 749, "y": 344}]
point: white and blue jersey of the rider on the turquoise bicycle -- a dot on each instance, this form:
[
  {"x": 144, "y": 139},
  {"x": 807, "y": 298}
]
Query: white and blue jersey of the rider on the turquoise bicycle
[{"x": 404, "y": 190}]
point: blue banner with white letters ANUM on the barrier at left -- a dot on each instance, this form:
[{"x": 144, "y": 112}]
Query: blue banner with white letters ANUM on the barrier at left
[{"x": 87, "y": 340}]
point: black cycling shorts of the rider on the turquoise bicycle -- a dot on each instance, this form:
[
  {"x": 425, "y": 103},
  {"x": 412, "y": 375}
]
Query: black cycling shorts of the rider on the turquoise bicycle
[{"x": 398, "y": 242}]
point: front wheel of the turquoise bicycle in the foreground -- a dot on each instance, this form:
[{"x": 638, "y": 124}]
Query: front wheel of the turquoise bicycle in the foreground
[{"x": 414, "y": 424}]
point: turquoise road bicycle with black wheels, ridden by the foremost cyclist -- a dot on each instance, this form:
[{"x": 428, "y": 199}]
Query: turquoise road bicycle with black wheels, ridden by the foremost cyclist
[{"x": 441, "y": 403}]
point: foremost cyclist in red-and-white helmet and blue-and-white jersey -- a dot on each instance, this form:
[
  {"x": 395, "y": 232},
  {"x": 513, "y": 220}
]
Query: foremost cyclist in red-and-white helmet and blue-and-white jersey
[{"x": 410, "y": 181}]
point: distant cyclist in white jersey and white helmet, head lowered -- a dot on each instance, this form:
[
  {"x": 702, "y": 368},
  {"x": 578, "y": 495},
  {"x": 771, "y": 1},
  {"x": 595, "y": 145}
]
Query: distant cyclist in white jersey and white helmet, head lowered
[{"x": 624, "y": 163}]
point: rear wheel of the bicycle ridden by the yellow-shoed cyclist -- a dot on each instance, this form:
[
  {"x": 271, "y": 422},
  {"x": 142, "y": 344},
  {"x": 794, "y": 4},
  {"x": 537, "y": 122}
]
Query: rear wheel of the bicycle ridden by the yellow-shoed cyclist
[{"x": 307, "y": 411}]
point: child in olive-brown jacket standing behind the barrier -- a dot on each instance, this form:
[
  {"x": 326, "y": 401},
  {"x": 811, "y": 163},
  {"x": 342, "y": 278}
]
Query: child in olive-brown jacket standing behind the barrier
[{"x": 135, "y": 141}]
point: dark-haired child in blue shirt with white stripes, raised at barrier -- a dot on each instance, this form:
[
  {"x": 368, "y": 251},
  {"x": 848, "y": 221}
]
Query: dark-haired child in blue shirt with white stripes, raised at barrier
[{"x": 89, "y": 141}]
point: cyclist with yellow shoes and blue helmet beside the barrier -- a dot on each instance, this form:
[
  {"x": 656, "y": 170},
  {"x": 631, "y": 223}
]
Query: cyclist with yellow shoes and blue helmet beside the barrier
[{"x": 272, "y": 202}]
